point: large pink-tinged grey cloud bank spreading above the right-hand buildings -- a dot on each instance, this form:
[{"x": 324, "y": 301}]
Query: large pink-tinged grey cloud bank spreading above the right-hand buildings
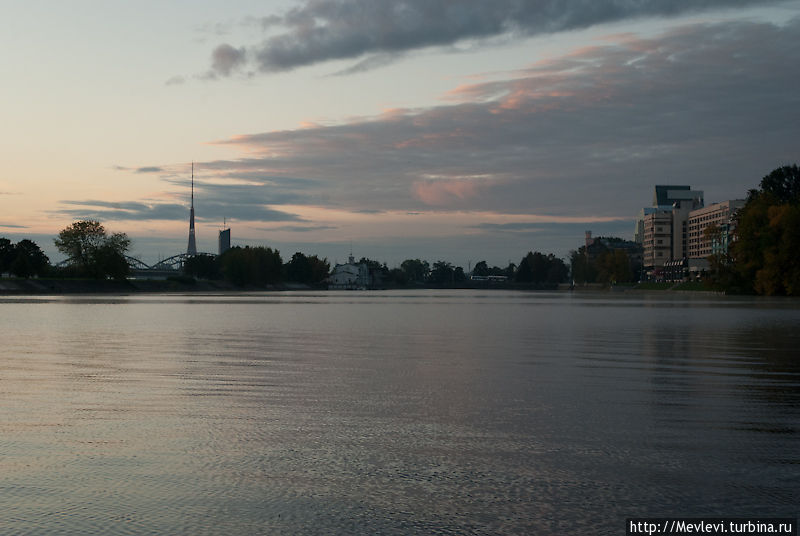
[{"x": 711, "y": 105}]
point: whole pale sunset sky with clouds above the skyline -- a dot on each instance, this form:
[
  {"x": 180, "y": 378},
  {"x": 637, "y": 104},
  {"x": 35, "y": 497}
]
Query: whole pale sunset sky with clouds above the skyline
[{"x": 449, "y": 130}]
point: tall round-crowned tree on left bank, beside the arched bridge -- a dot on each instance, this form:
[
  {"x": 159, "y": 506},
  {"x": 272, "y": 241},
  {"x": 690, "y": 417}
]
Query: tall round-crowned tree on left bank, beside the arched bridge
[{"x": 92, "y": 251}]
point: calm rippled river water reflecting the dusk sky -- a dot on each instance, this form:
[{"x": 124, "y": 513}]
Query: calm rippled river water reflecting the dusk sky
[{"x": 425, "y": 412}]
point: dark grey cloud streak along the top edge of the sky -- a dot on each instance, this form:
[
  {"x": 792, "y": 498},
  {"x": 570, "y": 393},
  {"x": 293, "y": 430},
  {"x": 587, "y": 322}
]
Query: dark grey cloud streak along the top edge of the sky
[{"x": 321, "y": 30}]
